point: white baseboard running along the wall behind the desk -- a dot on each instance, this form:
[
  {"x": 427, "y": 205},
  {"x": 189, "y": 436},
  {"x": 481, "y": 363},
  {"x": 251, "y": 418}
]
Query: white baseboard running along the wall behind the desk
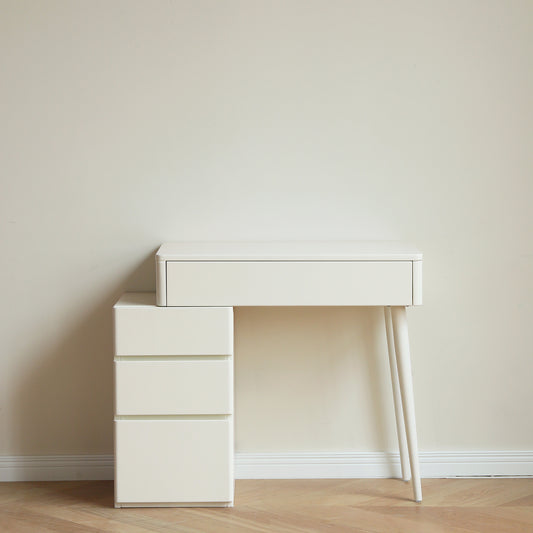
[{"x": 303, "y": 465}]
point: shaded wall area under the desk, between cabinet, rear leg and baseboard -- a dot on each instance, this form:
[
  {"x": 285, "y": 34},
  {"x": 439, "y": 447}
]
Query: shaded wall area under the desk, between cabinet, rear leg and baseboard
[{"x": 312, "y": 379}]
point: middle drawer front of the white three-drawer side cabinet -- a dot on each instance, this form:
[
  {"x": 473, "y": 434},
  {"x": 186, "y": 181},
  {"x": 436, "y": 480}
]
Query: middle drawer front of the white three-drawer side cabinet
[{"x": 178, "y": 387}]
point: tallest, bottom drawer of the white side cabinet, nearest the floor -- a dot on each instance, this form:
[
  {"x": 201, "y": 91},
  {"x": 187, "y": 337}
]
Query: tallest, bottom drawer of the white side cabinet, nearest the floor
[{"x": 173, "y": 461}]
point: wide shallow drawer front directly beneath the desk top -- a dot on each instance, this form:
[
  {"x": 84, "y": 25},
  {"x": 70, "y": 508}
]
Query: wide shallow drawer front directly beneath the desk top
[{"x": 241, "y": 283}]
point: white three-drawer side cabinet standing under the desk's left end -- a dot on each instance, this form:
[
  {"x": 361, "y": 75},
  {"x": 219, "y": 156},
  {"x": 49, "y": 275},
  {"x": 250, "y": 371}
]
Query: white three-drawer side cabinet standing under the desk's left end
[{"x": 173, "y": 404}]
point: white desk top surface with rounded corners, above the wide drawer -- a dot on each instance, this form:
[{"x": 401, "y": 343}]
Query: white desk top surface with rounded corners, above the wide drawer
[{"x": 289, "y": 251}]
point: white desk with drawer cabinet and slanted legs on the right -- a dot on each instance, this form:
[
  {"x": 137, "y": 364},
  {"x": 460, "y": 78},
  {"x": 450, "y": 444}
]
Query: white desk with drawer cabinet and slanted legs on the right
[{"x": 174, "y": 360}]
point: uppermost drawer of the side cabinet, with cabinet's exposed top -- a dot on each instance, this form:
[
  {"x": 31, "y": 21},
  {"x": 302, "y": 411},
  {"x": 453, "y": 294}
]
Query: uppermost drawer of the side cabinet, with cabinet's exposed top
[{"x": 142, "y": 328}]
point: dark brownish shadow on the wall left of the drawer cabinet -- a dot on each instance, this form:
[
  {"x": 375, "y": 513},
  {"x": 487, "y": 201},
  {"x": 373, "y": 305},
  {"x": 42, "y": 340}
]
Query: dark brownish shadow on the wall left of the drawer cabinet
[{"x": 64, "y": 404}]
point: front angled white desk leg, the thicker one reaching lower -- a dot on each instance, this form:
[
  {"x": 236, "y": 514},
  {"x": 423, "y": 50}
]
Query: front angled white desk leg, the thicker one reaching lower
[{"x": 403, "y": 360}]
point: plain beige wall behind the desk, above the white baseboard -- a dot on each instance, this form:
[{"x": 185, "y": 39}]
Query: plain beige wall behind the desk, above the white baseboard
[{"x": 128, "y": 123}]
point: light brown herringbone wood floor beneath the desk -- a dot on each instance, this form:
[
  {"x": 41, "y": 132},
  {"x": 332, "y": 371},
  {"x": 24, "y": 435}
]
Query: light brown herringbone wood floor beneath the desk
[{"x": 449, "y": 506}]
